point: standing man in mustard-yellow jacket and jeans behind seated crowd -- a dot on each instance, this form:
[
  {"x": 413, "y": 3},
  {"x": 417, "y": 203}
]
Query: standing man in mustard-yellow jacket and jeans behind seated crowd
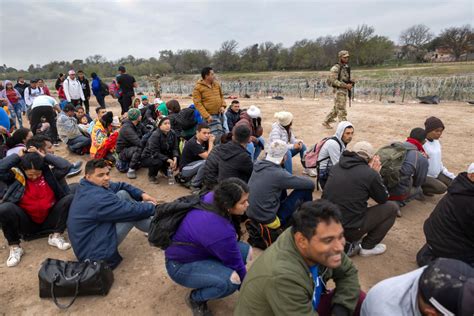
[{"x": 209, "y": 101}]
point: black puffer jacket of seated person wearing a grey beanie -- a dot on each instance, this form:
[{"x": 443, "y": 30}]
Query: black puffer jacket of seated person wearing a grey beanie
[{"x": 161, "y": 146}]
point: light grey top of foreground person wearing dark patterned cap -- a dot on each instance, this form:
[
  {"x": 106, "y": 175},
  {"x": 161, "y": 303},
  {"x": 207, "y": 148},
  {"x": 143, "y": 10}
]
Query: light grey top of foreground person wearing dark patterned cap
[{"x": 394, "y": 296}]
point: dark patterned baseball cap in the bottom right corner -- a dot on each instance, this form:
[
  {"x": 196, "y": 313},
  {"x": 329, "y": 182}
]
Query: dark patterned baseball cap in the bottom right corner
[{"x": 448, "y": 285}]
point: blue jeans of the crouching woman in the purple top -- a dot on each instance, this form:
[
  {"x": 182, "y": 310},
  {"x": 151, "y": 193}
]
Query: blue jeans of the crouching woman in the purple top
[{"x": 210, "y": 278}]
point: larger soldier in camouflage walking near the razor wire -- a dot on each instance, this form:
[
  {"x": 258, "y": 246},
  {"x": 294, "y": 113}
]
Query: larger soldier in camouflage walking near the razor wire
[{"x": 340, "y": 80}]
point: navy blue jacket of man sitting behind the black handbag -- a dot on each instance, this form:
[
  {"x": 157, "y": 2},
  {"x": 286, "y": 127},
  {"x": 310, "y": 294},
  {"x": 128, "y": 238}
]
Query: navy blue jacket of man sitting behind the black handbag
[{"x": 92, "y": 217}]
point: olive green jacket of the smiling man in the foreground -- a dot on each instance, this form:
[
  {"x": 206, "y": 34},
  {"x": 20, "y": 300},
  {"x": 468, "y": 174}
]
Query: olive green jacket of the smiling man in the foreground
[{"x": 279, "y": 283}]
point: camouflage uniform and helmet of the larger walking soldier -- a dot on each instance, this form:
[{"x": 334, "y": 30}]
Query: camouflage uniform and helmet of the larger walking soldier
[{"x": 339, "y": 109}]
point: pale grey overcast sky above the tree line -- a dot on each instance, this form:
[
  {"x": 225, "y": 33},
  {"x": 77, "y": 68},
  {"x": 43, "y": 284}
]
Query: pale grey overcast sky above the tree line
[{"x": 37, "y": 32}]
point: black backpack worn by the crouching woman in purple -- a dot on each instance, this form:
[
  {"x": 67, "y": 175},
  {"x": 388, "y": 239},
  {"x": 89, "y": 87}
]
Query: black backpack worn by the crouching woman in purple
[{"x": 168, "y": 217}]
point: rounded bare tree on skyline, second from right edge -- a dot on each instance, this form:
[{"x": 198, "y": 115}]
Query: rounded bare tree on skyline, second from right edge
[{"x": 414, "y": 39}]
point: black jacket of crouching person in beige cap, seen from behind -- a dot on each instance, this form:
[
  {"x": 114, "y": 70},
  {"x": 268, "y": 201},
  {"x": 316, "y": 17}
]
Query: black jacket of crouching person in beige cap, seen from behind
[{"x": 350, "y": 184}]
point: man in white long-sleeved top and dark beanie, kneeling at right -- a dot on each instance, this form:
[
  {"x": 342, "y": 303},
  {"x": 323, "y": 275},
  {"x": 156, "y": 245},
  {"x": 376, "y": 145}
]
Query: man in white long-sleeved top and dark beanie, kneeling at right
[{"x": 438, "y": 178}]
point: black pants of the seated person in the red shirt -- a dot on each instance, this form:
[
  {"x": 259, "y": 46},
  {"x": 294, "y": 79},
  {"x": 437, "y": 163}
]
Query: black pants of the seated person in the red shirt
[{"x": 15, "y": 222}]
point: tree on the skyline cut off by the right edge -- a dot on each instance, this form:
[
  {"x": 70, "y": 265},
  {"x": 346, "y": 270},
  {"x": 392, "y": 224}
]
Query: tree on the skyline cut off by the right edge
[{"x": 459, "y": 39}]
